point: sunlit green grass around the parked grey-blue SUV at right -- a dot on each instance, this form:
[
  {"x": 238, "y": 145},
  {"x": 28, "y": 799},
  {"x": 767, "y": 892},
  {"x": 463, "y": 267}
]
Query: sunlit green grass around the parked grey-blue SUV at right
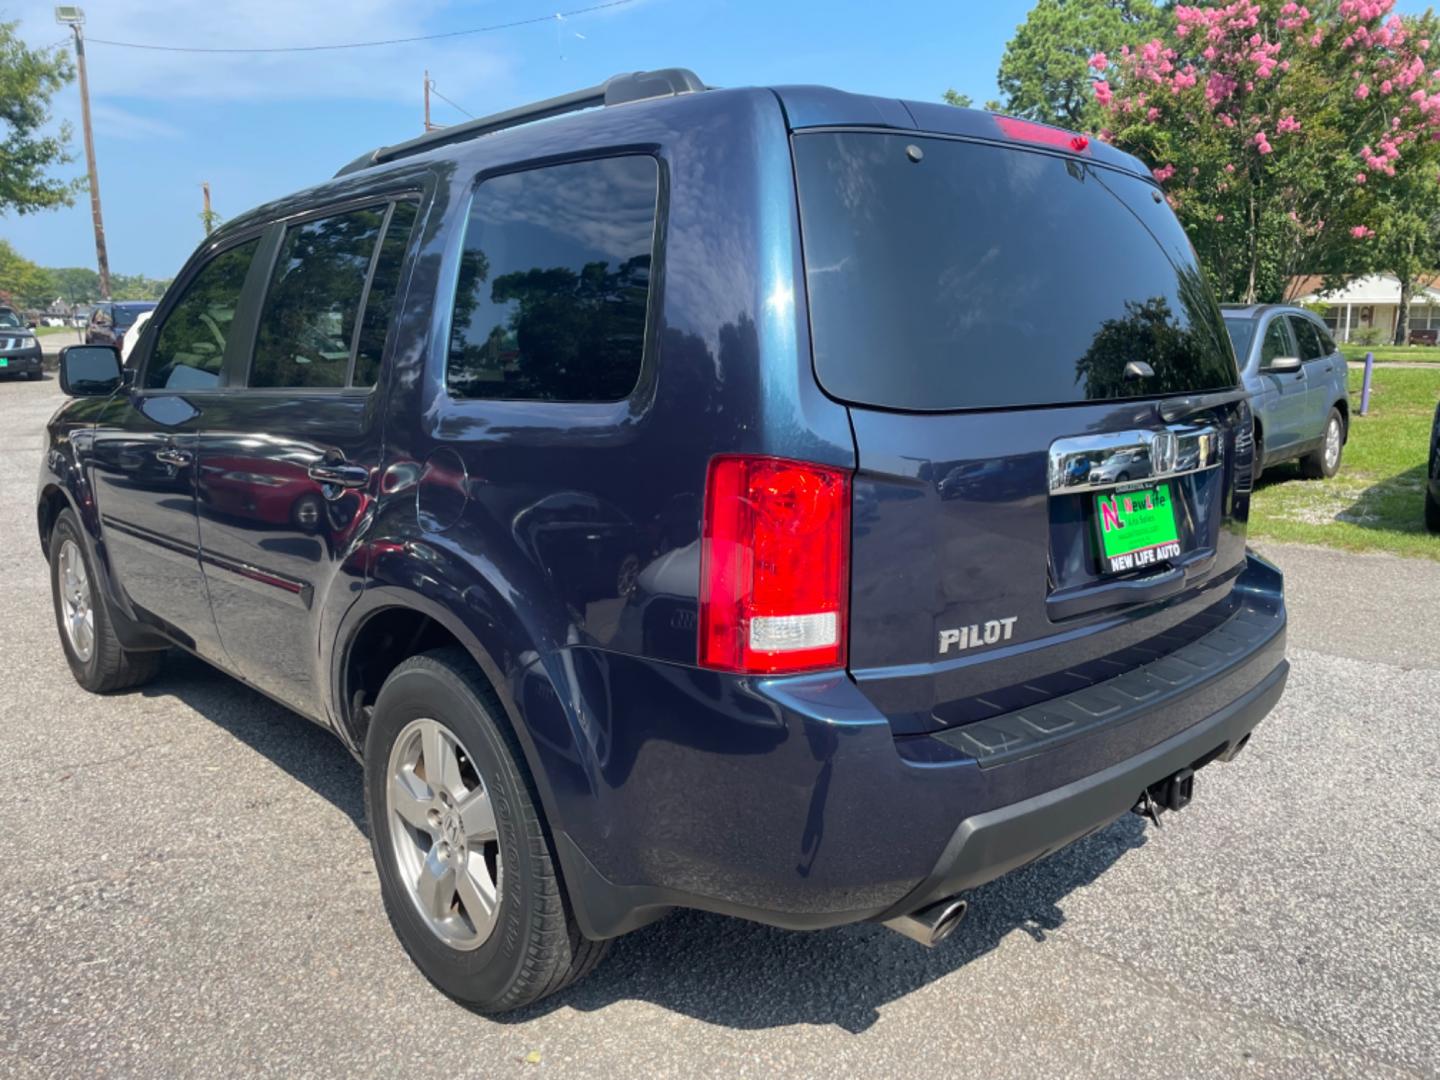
[{"x": 1377, "y": 500}]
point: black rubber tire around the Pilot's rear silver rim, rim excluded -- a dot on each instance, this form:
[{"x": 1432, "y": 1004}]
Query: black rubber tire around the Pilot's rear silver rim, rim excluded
[{"x": 536, "y": 947}]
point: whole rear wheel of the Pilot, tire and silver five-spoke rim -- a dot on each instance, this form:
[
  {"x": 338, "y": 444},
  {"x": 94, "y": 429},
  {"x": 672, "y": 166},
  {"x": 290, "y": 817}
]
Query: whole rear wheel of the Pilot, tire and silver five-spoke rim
[{"x": 467, "y": 872}]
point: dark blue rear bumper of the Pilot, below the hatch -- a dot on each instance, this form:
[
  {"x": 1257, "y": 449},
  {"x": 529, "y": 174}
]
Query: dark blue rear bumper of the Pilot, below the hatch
[{"x": 793, "y": 803}]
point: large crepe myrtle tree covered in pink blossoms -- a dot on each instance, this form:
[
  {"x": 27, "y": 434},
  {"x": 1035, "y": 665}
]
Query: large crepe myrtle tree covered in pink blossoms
[{"x": 1271, "y": 127}]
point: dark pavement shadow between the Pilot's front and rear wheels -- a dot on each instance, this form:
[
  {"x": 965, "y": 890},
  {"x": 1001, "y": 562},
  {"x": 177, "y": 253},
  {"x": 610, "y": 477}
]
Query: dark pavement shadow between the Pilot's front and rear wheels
[{"x": 306, "y": 751}]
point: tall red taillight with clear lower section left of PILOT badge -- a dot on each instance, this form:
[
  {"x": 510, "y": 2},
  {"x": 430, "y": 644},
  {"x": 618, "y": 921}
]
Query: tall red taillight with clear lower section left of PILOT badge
[{"x": 774, "y": 567}]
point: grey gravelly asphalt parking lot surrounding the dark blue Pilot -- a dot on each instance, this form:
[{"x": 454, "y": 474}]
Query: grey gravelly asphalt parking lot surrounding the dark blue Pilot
[{"x": 186, "y": 889}]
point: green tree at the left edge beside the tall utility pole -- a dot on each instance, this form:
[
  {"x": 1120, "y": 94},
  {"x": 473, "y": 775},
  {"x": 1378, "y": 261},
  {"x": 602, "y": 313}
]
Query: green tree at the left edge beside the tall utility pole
[{"x": 30, "y": 78}]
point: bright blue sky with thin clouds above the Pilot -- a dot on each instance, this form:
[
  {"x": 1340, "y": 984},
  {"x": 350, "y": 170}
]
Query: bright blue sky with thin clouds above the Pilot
[{"x": 260, "y": 127}]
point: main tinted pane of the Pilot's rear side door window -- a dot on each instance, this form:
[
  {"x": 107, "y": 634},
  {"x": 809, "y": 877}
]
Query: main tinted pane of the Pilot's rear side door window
[{"x": 309, "y": 320}]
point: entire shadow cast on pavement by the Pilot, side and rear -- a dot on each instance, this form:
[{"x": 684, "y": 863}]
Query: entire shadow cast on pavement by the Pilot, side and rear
[{"x": 712, "y": 968}]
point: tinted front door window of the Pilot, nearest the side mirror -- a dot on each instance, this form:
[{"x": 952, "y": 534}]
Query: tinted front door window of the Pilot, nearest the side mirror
[{"x": 191, "y": 342}]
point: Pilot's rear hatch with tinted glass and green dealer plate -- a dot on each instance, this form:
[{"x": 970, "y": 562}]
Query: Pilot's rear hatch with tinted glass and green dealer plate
[{"x": 1053, "y": 462}]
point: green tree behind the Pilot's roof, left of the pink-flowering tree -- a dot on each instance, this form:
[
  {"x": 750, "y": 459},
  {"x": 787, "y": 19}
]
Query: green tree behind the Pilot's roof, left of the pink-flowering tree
[{"x": 1045, "y": 73}]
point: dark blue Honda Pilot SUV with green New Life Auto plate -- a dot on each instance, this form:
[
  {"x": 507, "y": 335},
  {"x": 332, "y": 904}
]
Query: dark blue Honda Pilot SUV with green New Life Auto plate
[{"x": 781, "y": 503}]
